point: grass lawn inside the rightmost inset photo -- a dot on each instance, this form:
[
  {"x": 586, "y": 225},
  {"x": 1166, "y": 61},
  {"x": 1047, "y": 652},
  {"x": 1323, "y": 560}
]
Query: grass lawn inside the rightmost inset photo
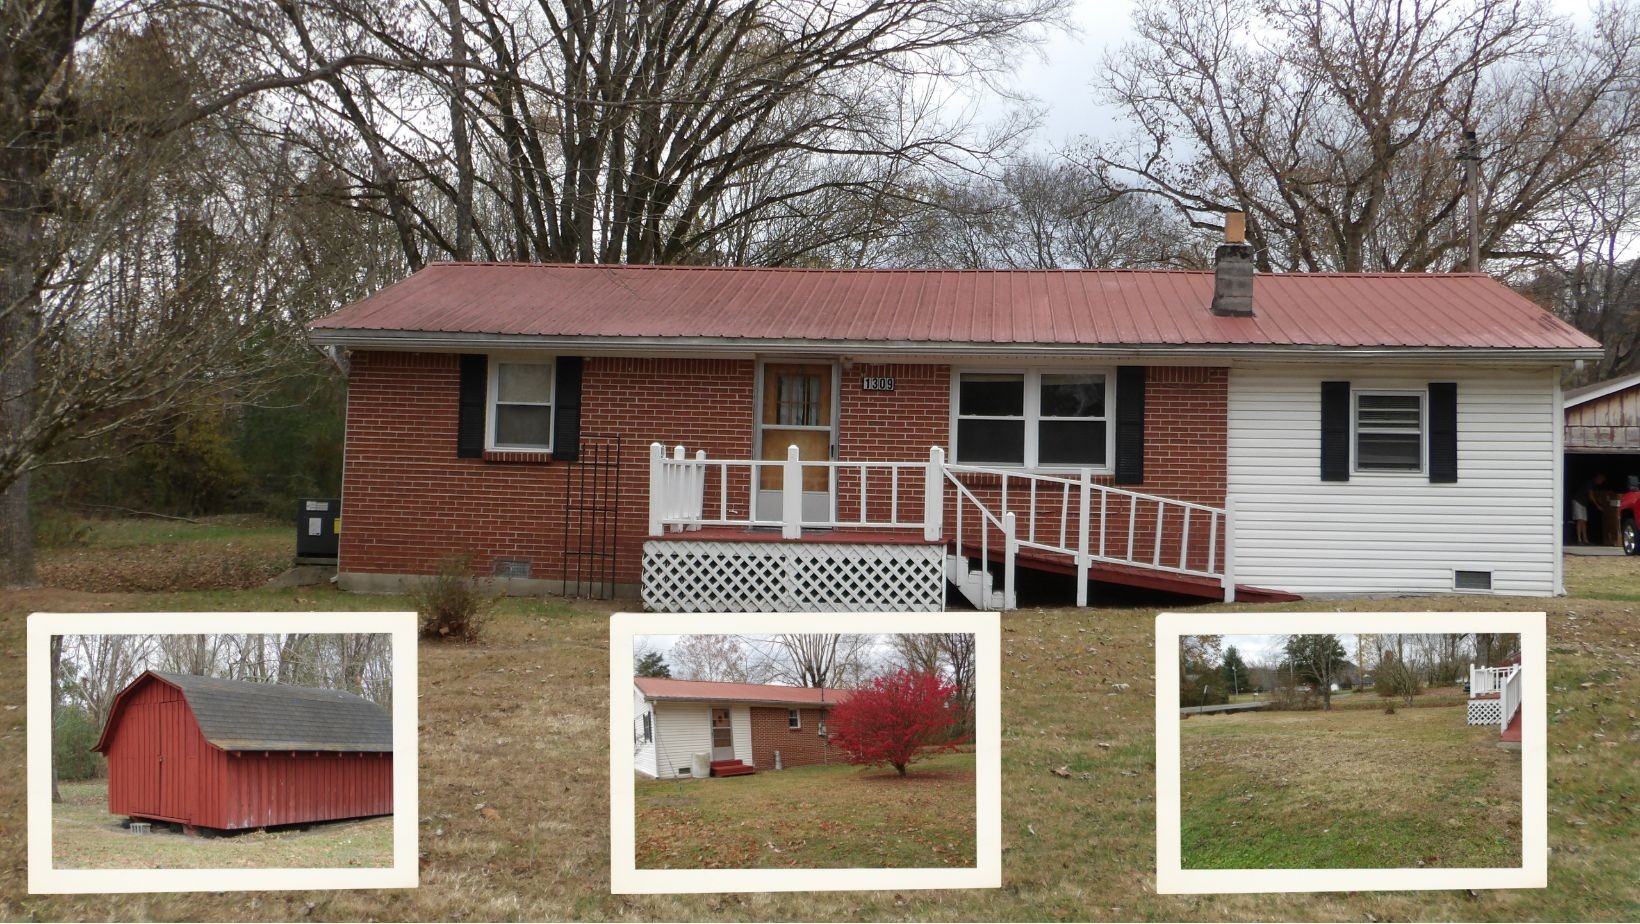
[{"x": 1347, "y": 790}]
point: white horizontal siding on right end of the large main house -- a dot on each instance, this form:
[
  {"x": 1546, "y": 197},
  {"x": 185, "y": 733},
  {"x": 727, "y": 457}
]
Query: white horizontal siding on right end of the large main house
[{"x": 1395, "y": 533}]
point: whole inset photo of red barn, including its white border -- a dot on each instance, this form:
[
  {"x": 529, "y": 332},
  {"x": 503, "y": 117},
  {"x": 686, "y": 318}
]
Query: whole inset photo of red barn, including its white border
[{"x": 222, "y": 752}]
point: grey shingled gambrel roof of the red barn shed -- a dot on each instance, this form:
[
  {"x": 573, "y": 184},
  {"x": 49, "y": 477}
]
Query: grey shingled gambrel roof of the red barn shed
[{"x": 237, "y": 715}]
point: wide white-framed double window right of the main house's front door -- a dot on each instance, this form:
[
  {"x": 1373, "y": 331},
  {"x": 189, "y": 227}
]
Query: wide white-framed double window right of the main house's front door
[{"x": 1034, "y": 419}]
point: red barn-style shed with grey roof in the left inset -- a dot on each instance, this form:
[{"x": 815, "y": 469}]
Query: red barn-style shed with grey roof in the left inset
[{"x": 230, "y": 754}]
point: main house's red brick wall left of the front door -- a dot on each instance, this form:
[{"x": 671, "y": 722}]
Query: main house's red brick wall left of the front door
[{"x": 408, "y": 500}]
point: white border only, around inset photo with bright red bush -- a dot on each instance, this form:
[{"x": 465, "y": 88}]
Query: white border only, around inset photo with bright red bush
[{"x": 626, "y": 879}]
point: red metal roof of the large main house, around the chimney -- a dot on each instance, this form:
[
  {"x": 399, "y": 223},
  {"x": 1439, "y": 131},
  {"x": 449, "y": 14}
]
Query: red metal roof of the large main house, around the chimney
[{"x": 1093, "y": 308}]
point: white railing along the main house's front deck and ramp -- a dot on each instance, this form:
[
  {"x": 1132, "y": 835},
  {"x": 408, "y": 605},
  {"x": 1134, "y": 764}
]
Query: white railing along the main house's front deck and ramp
[{"x": 1075, "y": 518}]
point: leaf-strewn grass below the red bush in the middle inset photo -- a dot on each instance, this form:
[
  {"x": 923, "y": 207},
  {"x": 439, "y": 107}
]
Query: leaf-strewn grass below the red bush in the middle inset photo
[{"x": 813, "y": 818}]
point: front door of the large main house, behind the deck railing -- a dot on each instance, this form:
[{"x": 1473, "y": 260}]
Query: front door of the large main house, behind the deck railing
[{"x": 798, "y": 409}]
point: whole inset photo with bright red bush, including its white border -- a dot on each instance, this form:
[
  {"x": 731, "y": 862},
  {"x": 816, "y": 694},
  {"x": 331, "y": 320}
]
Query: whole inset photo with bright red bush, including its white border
[{"x": 770, "y": 752}]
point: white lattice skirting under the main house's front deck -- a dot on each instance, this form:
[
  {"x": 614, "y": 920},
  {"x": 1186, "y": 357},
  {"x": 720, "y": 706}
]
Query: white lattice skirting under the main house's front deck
[{"x": 788, "y": 577}]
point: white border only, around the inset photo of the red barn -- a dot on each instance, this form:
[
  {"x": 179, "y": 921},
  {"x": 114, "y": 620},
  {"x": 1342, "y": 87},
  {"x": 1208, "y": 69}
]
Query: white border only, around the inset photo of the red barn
[{"x": 43, "y": 879}]
